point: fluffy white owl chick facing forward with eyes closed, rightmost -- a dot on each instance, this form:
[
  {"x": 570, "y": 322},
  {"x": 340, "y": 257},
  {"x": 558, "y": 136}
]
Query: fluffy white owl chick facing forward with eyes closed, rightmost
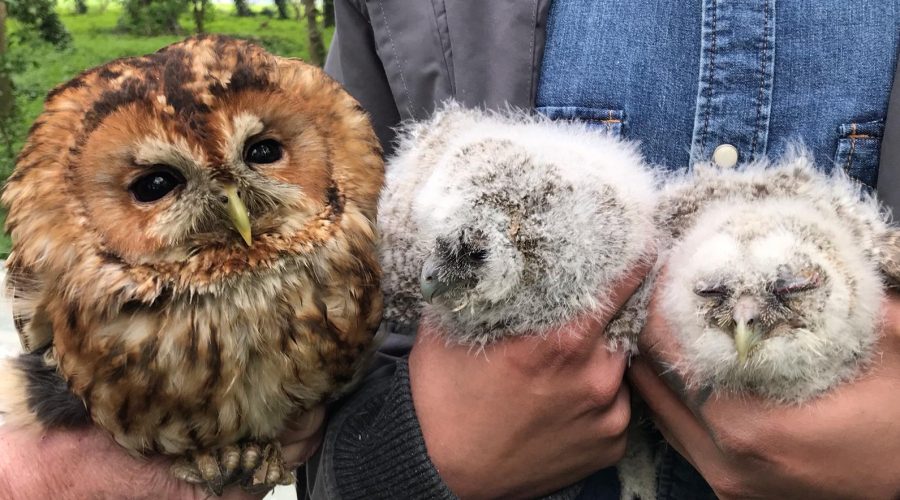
[{"x": 775, "y": 280}]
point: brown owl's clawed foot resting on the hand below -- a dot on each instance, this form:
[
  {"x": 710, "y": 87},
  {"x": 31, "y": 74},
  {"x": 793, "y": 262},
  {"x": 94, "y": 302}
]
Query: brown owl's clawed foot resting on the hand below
[{"x": 257, "y": 467}]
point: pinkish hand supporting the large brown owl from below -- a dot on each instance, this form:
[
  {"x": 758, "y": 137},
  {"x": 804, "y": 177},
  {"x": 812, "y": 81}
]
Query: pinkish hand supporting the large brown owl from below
[{"x": 87, "y": 463}]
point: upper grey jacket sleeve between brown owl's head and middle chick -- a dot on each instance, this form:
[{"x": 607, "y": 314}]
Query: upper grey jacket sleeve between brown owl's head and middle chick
[{"x": 353, "y": 61}]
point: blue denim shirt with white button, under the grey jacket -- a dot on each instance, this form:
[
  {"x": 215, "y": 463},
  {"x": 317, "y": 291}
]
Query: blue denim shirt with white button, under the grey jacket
[{"x": 754, "y": 74}]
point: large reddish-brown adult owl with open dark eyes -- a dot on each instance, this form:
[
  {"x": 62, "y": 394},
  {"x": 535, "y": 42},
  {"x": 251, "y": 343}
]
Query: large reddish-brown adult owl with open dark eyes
[{"x": 193, "y": 255}]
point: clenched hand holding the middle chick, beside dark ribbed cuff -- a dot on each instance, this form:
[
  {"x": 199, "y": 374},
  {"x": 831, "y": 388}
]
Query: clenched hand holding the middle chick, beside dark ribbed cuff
[{"x": 527, "y": 416}]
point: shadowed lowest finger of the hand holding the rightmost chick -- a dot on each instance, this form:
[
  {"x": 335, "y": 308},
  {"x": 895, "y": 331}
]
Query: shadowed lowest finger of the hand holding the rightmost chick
[{"x": 670, "y": 413}]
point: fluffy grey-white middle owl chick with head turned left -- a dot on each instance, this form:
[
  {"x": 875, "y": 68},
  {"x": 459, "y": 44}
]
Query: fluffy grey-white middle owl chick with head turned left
[{"x": 509, "y": 224}]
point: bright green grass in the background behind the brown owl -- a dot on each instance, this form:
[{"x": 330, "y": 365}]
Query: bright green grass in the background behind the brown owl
[{"x": 96, "y": 40}]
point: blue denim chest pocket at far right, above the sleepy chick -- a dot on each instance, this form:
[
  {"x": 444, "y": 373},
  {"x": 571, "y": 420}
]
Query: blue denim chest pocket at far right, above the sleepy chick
[{"x": 858, "y": 150}]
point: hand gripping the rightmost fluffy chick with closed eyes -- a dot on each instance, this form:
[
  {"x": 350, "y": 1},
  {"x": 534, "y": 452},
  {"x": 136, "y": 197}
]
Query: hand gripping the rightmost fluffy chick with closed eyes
[{"x": 842, "y": 445}]
